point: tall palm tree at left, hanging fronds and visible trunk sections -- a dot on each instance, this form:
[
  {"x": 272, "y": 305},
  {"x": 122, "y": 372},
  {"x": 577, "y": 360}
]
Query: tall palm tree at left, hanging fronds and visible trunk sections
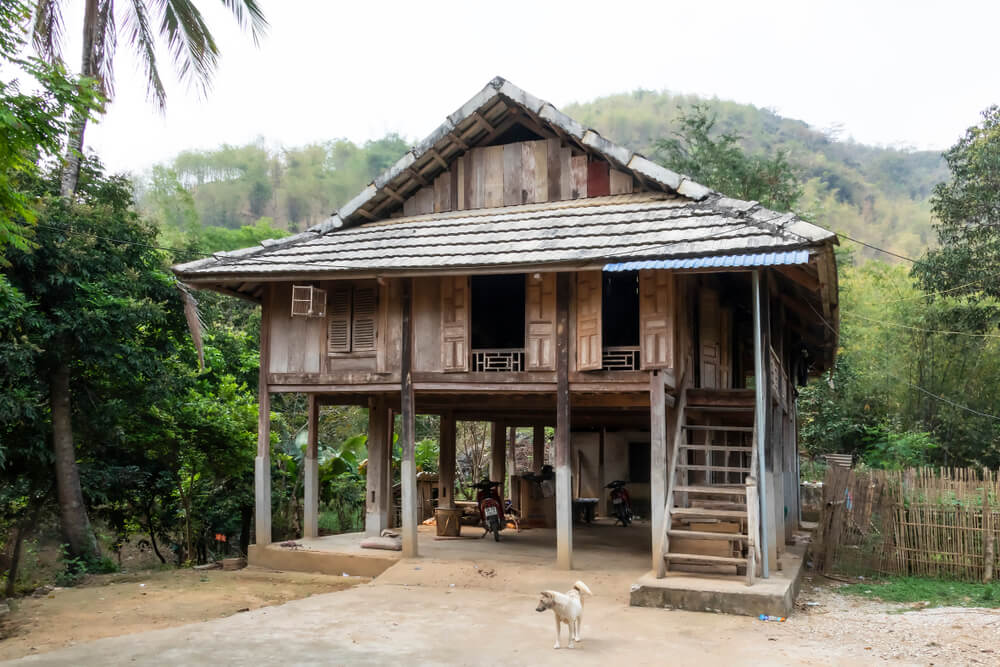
[{"x": 194, "y": 54}]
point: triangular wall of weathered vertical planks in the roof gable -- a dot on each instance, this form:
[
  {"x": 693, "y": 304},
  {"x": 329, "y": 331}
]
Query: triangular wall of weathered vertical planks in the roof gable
[{"x": 525, "y": 172}]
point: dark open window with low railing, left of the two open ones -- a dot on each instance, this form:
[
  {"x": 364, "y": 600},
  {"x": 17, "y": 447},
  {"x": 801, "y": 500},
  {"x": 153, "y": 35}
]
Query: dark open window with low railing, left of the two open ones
[{"x": 497, "y": 322}]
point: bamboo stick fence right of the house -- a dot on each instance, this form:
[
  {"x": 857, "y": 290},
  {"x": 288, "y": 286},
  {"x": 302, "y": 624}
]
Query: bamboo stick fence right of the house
[{"x": 922, "y": 522}]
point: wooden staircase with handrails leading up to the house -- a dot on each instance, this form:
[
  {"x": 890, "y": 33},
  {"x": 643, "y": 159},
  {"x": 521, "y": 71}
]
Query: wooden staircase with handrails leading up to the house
[{"x": 711, "y": 514}]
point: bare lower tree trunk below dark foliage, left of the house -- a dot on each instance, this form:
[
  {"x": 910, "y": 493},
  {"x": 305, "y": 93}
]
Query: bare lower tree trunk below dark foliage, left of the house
[{"x": 72, "y": 511}]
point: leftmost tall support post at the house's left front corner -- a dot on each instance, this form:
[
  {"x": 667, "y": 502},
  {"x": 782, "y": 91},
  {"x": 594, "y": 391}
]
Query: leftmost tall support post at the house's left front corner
[{"x": 262, "y": 464}]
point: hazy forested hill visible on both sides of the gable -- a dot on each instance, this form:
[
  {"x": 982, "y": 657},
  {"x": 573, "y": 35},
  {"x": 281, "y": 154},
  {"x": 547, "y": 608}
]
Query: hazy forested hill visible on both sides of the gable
[{"x": 878, "y": 194}]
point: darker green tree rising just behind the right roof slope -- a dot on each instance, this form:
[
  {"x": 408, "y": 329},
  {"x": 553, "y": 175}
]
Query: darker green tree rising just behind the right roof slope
[{"x": 718, "y": 161}]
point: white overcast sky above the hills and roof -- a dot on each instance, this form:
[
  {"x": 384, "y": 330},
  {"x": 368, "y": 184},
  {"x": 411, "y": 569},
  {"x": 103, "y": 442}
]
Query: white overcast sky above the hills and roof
[{"x": 907, "y": 73}]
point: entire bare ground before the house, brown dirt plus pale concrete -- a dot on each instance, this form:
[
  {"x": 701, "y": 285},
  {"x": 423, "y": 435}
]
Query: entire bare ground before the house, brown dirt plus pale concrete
[{"x": 436, "y": 612}]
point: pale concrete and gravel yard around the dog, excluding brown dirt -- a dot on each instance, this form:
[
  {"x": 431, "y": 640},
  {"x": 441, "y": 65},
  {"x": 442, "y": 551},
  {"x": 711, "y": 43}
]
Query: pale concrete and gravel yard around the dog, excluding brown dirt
[{"x": 425, "y": 612}]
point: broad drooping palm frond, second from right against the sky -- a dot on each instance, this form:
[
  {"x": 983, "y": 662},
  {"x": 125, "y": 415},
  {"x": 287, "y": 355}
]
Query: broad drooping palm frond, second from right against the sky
[{"x": 190, "y": 42}]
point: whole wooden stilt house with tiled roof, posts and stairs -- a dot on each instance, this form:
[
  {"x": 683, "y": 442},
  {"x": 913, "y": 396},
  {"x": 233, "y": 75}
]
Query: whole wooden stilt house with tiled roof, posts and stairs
[{"x": 519, "y": 268}]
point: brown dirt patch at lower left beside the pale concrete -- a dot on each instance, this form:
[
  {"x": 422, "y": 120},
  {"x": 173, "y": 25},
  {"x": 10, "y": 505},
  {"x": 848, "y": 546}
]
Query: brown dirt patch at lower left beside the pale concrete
[{"x": 120, "y": 604}]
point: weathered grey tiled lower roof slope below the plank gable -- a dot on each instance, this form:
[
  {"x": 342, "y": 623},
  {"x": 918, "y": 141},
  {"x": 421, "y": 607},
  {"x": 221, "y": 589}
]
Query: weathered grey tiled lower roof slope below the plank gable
[{"x": 602, "y": 229}]
